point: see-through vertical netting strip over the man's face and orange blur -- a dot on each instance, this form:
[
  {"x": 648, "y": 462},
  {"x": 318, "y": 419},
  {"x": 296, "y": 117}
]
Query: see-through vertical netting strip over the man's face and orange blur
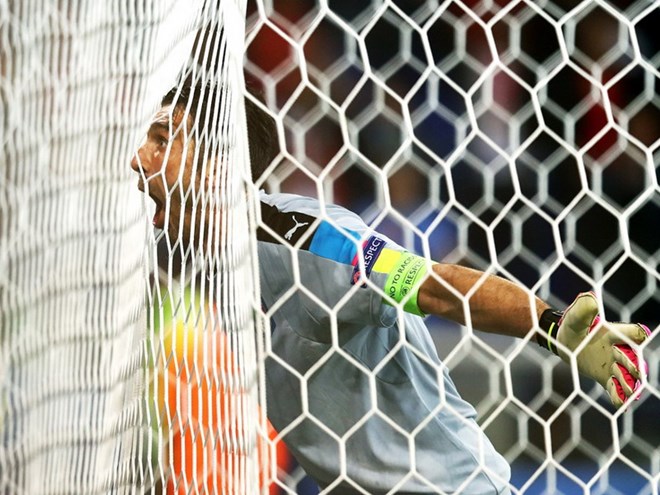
[{"x": 203, "y": 373}]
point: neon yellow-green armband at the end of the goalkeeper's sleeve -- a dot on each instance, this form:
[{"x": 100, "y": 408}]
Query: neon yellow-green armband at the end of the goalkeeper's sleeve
[{"x": 404, "y": 280}]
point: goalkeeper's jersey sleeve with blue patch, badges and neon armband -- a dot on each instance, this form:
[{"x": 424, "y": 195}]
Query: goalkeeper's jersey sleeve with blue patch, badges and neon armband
[{"x": 342, "y": 268}]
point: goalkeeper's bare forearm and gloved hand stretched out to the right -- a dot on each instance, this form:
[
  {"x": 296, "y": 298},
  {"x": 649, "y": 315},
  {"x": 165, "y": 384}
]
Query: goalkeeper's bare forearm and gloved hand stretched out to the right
[{"x": 606, "y": 352}]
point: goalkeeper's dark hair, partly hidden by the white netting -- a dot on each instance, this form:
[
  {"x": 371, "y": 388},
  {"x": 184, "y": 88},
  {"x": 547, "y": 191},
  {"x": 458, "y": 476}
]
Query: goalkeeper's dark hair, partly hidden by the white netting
[{"x": 261, "y": 128}]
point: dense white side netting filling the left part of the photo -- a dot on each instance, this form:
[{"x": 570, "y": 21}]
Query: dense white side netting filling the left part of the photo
[{"x": 117, "y": 375}]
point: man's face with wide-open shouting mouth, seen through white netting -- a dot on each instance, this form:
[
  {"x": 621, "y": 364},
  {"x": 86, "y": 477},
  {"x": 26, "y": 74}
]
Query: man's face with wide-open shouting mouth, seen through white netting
[{"x": 165, "y": 163}]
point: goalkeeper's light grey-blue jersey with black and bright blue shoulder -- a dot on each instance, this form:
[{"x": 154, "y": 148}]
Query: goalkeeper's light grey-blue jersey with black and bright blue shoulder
[{"x": 354, "y": 385}]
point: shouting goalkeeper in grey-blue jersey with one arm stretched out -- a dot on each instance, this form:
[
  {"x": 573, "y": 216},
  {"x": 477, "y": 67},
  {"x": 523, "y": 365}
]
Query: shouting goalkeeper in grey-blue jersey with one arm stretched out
[{"x": 358, "y": 391}]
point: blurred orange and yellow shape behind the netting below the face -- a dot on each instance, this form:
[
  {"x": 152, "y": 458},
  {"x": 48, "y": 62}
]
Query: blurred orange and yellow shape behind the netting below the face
[{"x": 201, "y": 404}]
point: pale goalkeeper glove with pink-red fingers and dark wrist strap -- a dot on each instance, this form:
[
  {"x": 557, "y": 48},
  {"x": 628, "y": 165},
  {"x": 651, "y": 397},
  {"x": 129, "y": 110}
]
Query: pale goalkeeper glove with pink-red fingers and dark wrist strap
[{"x": 607, "y": 356}]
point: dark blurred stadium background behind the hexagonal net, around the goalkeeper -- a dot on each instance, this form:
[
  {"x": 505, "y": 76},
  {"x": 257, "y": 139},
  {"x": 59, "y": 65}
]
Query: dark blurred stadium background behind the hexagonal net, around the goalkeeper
[{"x": 521, "y": 138}]
